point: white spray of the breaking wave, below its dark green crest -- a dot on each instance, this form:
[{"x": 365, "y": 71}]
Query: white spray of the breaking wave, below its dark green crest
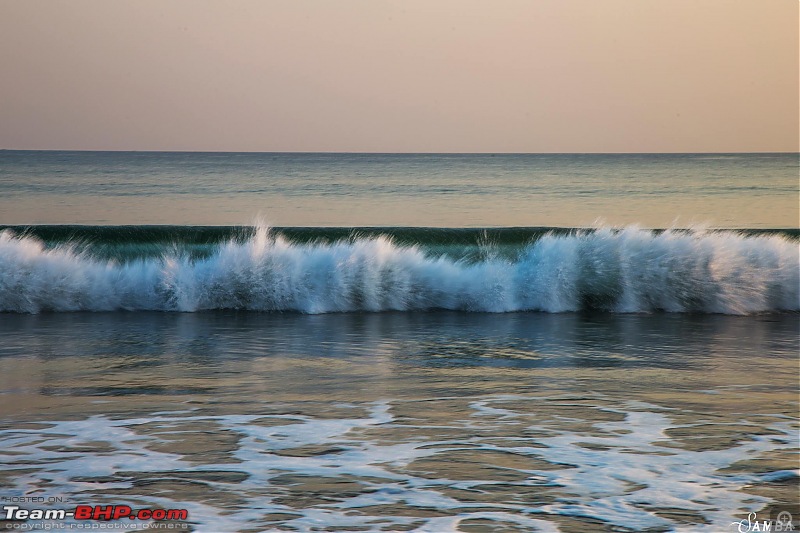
[{"x": 625, "y": 270}]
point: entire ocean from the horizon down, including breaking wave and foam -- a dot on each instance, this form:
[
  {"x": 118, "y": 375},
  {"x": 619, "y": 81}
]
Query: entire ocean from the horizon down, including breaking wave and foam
[{"x": 401, "y": 342}]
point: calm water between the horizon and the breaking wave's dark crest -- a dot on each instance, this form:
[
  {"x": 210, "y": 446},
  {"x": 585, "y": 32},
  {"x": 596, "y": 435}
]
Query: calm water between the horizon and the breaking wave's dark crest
[{"x": 661, "y": 190}]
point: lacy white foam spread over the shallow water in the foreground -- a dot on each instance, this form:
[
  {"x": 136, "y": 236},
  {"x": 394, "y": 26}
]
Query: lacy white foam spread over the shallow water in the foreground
[{"x": 624, "y": 473}]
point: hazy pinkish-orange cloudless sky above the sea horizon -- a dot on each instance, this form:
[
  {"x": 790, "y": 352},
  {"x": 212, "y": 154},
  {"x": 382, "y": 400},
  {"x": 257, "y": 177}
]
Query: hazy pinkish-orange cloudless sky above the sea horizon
[{"x": 400, "y": 75}]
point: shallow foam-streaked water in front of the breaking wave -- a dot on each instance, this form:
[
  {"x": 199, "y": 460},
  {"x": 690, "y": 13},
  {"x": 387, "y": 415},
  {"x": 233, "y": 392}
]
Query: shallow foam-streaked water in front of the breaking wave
[{"x": 392, "y": 422}]
